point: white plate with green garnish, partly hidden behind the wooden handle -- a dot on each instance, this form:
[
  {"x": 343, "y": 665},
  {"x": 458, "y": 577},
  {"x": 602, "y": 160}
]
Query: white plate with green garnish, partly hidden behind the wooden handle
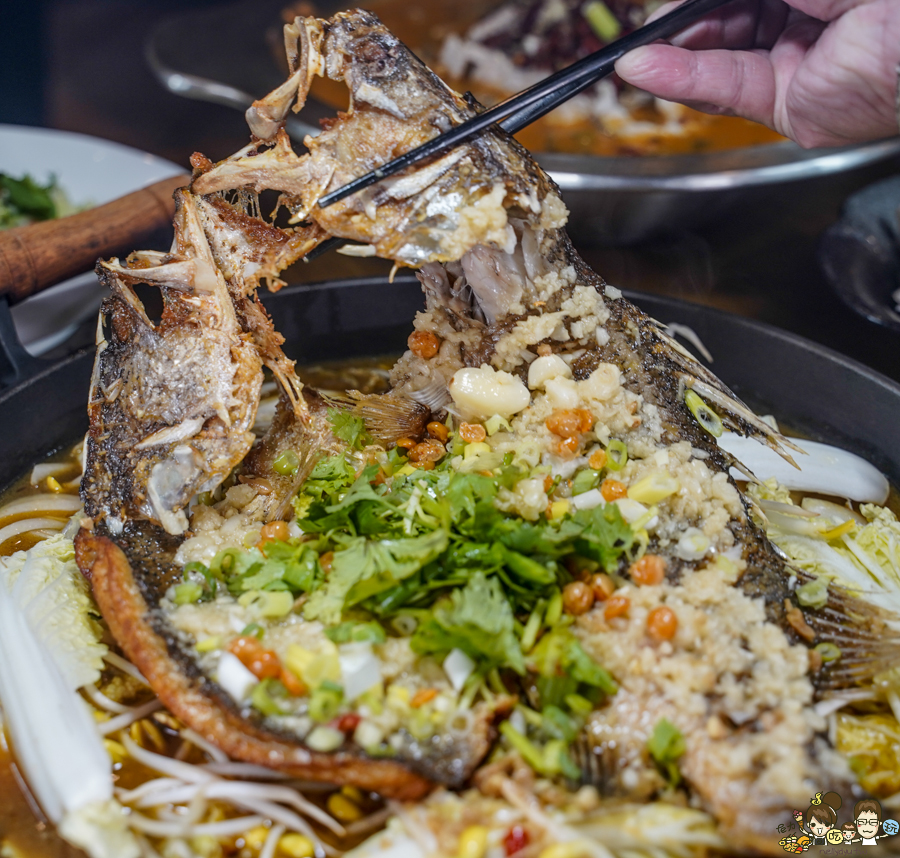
[{"x": 92, "y": 172}]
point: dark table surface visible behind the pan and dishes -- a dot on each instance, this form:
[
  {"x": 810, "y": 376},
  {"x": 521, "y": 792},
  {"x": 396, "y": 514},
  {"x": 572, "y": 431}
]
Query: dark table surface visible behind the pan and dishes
[{"x": 760, "y": 261}]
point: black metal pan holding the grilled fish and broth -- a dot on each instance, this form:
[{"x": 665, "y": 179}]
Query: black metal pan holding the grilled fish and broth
[{"x": 810, "y": 388}]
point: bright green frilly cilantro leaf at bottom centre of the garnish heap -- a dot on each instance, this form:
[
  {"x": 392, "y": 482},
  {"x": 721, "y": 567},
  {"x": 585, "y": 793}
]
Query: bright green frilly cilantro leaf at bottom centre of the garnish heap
[{"x": 476, "y": 619}]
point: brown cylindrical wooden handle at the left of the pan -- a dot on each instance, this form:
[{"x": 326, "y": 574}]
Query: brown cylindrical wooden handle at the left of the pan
[{"x": 35, "y": 257}]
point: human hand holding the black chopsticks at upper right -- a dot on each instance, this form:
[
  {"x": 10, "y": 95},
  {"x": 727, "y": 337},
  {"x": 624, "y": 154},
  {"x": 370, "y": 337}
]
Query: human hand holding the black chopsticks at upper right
[{"x": 822, "y": 72}]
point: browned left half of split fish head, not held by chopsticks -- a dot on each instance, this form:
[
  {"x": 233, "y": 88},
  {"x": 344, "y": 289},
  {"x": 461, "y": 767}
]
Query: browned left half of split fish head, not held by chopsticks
[{"x": 172, "y": 401}]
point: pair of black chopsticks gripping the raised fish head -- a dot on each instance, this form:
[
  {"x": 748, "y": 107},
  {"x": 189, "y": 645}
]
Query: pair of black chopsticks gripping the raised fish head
[{"x": 520, "y": 110}]
